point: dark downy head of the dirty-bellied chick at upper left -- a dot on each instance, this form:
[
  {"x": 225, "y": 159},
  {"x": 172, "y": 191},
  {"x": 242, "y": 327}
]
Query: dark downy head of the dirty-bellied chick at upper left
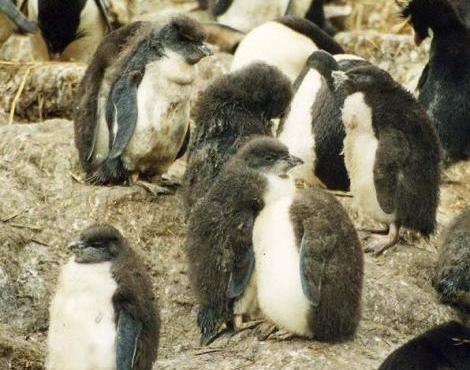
[{"x": 185, "y": 36}]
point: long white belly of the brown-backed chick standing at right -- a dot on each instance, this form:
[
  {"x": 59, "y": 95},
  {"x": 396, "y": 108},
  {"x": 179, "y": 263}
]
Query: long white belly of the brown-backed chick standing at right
[{"x": 360, "y": 146}]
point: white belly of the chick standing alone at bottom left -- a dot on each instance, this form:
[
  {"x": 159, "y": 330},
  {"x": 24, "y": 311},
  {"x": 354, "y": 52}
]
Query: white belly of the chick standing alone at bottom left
[{"x": 82, "y": 332}]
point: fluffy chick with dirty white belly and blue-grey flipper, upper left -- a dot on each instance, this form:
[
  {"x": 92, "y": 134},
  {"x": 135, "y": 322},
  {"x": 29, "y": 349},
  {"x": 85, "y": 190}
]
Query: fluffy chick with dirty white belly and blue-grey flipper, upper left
[{"x": 133, "y": 116}]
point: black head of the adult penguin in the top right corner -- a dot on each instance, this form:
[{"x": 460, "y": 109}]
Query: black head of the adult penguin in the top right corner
[{"x": 439, "y": 15}]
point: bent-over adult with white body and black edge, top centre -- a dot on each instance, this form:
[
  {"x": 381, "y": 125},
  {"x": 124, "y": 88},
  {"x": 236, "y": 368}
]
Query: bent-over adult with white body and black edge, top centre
[{"x": 285, "y": 43}]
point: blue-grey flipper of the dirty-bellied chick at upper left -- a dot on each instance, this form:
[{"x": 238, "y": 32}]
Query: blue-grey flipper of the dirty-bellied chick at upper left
[{"x": 122, "y": 107}]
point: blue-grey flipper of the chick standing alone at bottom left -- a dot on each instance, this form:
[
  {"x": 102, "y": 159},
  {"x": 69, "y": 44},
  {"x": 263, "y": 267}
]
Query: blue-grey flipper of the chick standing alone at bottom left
[{"x": 127, "y": 341}]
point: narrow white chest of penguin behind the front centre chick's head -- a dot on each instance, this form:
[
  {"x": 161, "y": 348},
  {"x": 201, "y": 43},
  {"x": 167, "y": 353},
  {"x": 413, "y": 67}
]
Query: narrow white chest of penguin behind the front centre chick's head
[{"x": 297, "y": 132}]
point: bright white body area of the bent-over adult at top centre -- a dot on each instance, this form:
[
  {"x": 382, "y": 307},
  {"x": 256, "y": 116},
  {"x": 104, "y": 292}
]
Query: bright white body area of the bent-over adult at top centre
[{"x": 277, "y": 45}]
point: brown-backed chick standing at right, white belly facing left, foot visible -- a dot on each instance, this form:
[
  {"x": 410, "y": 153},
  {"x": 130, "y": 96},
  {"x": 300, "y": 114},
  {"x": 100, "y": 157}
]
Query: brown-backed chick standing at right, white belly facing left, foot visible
[{"x": 391, "y": 151}]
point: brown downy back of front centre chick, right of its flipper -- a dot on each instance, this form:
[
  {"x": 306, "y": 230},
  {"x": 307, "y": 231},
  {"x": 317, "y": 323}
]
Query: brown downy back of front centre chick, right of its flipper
[{"x": 333, "y": 259}]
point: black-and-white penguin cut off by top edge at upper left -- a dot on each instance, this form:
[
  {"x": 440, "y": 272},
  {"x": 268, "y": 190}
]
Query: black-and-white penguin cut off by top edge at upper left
[{"x": 70, "y": 30}]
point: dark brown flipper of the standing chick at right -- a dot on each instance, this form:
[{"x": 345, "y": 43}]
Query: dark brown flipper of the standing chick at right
[{"x": 392, "y": 151}]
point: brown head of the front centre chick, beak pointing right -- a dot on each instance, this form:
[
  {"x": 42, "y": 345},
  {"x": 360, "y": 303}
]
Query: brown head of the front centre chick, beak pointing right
[{"x": 268, "y": 156}]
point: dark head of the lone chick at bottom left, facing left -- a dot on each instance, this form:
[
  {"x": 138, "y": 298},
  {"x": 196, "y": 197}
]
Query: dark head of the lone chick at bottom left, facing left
[{"x": 98, "y": 243}]
